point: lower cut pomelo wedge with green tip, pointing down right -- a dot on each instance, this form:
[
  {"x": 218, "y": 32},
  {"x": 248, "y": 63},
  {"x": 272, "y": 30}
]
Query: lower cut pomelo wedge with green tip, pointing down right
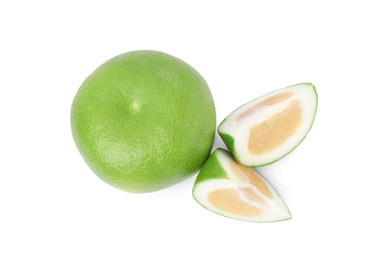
[{"x": 235, "y": 191}]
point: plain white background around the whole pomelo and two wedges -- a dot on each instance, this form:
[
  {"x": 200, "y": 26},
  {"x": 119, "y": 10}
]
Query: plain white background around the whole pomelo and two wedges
[{"x": 336, "y": 183}]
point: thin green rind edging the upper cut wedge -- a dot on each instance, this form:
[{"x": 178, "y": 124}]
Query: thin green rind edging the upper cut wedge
[{"x": 229, "y": 140}]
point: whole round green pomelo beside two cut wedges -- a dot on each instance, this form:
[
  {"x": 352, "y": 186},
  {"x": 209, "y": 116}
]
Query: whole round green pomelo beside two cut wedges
[{"x": 144, "y": 121}]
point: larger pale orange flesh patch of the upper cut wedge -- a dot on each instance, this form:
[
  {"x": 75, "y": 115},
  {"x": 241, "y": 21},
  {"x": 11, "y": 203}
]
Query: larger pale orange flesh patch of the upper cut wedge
[{"x": 269, "y": 135}]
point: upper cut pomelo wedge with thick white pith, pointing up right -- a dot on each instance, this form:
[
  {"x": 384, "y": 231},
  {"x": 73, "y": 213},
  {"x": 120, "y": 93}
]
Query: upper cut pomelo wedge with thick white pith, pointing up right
[{"x": 270, "y": 127}]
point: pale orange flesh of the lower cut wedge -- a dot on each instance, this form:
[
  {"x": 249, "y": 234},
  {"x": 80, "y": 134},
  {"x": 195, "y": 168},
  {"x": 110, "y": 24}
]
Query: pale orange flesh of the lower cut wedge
[{"x": 229, "y": 200}]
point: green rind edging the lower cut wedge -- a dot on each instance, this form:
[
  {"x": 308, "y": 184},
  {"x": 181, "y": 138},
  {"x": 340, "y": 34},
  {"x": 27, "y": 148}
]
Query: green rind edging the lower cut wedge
[{"x": 212, "y": 170}]
